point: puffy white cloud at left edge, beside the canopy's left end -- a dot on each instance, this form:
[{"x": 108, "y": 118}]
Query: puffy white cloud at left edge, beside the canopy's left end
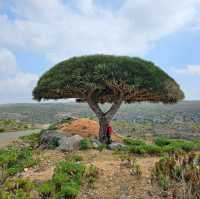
[{"x": 15, "y": 85}]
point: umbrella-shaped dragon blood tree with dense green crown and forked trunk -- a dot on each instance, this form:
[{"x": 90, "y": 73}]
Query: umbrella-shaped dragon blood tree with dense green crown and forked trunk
[{"x": 99, "y": 79}]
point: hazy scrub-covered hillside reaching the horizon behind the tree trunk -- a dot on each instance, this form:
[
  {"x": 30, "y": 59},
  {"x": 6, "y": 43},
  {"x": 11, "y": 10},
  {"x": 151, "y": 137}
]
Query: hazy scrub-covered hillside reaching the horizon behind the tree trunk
[{"x": 178, "y": 120}]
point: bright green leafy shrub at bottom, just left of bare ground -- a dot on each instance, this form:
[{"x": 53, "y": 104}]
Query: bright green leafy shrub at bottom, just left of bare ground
[{"x": 65, "y": 183}]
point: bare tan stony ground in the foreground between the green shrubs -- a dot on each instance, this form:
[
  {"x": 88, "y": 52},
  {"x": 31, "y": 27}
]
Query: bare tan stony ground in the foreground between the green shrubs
[{"x": 114, "y": 178}]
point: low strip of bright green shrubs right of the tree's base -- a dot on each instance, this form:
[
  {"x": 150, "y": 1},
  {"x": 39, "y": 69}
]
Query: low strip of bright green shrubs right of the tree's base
[{"x": 160, "y": 146}]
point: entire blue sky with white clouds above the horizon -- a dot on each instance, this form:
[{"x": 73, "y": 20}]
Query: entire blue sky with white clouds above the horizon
[{"x": 37, "y": 34}]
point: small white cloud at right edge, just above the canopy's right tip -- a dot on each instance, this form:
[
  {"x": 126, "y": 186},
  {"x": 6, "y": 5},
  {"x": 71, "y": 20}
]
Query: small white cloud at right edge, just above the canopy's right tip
[{"x": 189, "y": 70}]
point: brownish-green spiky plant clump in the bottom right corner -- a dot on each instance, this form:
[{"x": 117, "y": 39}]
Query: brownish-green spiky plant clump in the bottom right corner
[{"x": 181, "y": 172}]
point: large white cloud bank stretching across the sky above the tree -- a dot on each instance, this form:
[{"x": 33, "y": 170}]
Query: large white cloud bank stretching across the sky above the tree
[{"x": 58, "y": 31}]
